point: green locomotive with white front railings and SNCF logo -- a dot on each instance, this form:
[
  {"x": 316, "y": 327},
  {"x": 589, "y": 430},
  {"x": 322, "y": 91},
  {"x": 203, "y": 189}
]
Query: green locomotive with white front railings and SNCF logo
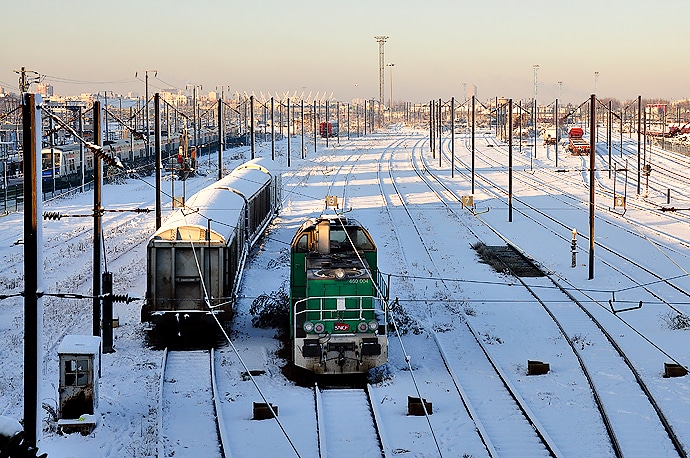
[{"x": 338, "y": 313}]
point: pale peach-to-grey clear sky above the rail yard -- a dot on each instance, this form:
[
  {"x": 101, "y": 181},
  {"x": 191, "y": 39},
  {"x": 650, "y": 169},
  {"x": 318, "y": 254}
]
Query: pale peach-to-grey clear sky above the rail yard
[{"x": 639, "y": 47}]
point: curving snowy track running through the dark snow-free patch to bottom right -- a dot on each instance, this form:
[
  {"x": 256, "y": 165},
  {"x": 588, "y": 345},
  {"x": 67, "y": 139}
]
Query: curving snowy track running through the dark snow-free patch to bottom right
[{"x": 630, "y": 412}]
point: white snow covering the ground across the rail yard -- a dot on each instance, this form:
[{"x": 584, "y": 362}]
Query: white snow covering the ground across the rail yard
[{"x": 441, "y": 285}]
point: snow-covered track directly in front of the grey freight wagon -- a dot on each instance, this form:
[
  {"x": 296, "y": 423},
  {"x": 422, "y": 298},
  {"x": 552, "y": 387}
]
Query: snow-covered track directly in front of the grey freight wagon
[{"x": 189, "y": 423}]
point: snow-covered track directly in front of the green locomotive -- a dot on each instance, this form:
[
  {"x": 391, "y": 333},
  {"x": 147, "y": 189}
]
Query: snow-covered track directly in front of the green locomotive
[{"x": 346, "y": 423}]
